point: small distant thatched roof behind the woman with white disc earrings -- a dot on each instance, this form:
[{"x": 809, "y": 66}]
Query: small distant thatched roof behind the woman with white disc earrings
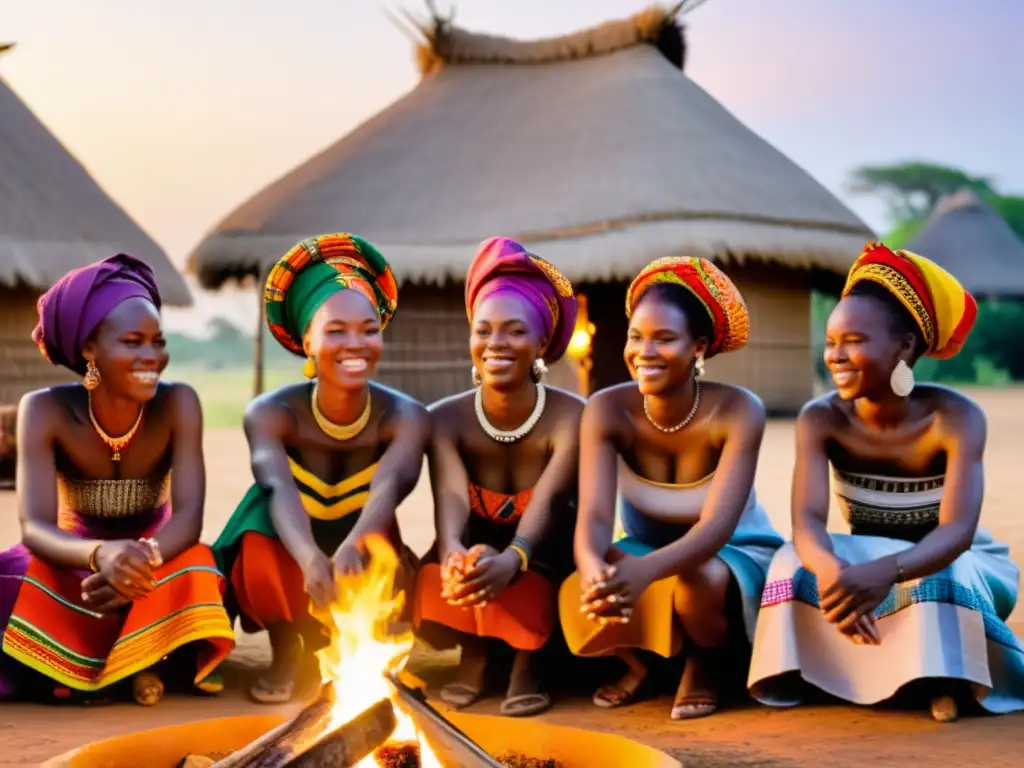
[{"x": 973, "y": 242}]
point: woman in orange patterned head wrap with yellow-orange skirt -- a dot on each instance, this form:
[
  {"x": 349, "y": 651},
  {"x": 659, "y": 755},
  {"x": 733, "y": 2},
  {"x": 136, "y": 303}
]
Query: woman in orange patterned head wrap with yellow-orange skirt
[{"x": 682, "y": 457}]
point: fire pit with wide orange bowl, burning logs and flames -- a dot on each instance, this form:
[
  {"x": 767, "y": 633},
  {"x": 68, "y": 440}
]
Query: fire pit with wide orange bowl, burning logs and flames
[{"x": 367, "y": 716}]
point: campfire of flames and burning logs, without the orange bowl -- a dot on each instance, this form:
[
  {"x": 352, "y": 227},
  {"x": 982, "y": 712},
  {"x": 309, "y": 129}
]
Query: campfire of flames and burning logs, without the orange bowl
[{"x": 366, "y": 716}]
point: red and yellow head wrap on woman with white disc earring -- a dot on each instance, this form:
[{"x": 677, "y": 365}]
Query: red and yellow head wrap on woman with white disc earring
[{"x": 938, "y": 304}]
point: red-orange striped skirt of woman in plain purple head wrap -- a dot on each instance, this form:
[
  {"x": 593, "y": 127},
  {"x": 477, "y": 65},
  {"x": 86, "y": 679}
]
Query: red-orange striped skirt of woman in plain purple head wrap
[{"x": 50, "y": 630}]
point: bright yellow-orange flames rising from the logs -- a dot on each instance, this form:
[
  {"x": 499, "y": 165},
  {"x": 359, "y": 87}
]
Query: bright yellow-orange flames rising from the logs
[{"x": 366, "y": 647}]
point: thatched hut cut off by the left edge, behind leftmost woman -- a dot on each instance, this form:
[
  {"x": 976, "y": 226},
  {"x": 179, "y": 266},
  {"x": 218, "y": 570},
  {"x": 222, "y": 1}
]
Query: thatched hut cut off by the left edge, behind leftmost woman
[{"x": 54, "y": 218}]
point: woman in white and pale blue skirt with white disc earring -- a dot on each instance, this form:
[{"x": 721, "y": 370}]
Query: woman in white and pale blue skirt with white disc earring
[{"x": 917, "y": 591}]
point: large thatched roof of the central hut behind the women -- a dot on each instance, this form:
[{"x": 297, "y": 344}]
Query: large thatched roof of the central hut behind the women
[{"x": 594, "y": 149}]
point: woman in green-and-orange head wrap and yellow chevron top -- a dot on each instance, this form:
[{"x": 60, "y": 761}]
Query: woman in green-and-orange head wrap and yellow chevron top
[{"x": 332, "y": 458}]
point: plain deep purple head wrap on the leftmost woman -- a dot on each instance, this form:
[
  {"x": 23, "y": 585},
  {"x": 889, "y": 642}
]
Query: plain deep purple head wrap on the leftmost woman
[{"x": 77, "y": 304}]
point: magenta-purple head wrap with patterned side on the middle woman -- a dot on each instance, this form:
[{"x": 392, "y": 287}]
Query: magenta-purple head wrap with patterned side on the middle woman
[{"x": 502, "y": 266}]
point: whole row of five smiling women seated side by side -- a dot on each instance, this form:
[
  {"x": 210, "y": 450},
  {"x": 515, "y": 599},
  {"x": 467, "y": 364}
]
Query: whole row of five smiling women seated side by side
[{"x": 625, "y": 526}]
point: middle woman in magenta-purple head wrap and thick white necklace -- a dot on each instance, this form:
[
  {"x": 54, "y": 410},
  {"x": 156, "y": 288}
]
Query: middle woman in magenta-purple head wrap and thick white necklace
[{"x": 503, "y": 467}]
